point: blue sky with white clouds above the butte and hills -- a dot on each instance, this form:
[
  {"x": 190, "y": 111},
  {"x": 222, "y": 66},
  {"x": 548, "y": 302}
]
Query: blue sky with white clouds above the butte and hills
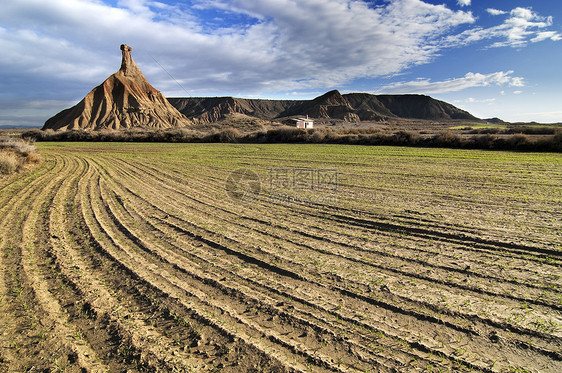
[{"x": 493, "y": 58}]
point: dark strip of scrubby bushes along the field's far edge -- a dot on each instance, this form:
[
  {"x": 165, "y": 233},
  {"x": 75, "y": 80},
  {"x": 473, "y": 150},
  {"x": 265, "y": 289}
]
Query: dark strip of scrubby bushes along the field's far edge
[{"x": 506, "y": 140}]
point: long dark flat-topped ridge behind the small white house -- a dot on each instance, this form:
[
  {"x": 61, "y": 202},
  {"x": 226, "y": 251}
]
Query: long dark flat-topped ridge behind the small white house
[{"x": 331, "y": 105}]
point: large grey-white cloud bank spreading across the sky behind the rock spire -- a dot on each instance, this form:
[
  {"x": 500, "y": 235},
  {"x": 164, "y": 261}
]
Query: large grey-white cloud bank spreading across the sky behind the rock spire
[{"x": 255, "y": 46}]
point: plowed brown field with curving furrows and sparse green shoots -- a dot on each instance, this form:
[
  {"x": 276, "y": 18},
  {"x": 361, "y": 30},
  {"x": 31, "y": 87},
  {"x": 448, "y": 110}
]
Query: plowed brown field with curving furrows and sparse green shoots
[{"x": 197, "y": 257}]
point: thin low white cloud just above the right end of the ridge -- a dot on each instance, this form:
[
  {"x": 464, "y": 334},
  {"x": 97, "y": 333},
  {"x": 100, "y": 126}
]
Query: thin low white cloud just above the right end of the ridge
[{"x": 470, "y": 80}]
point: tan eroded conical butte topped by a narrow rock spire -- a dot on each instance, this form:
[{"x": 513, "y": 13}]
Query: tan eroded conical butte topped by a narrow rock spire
[{"x": 124, "y": 100}]
